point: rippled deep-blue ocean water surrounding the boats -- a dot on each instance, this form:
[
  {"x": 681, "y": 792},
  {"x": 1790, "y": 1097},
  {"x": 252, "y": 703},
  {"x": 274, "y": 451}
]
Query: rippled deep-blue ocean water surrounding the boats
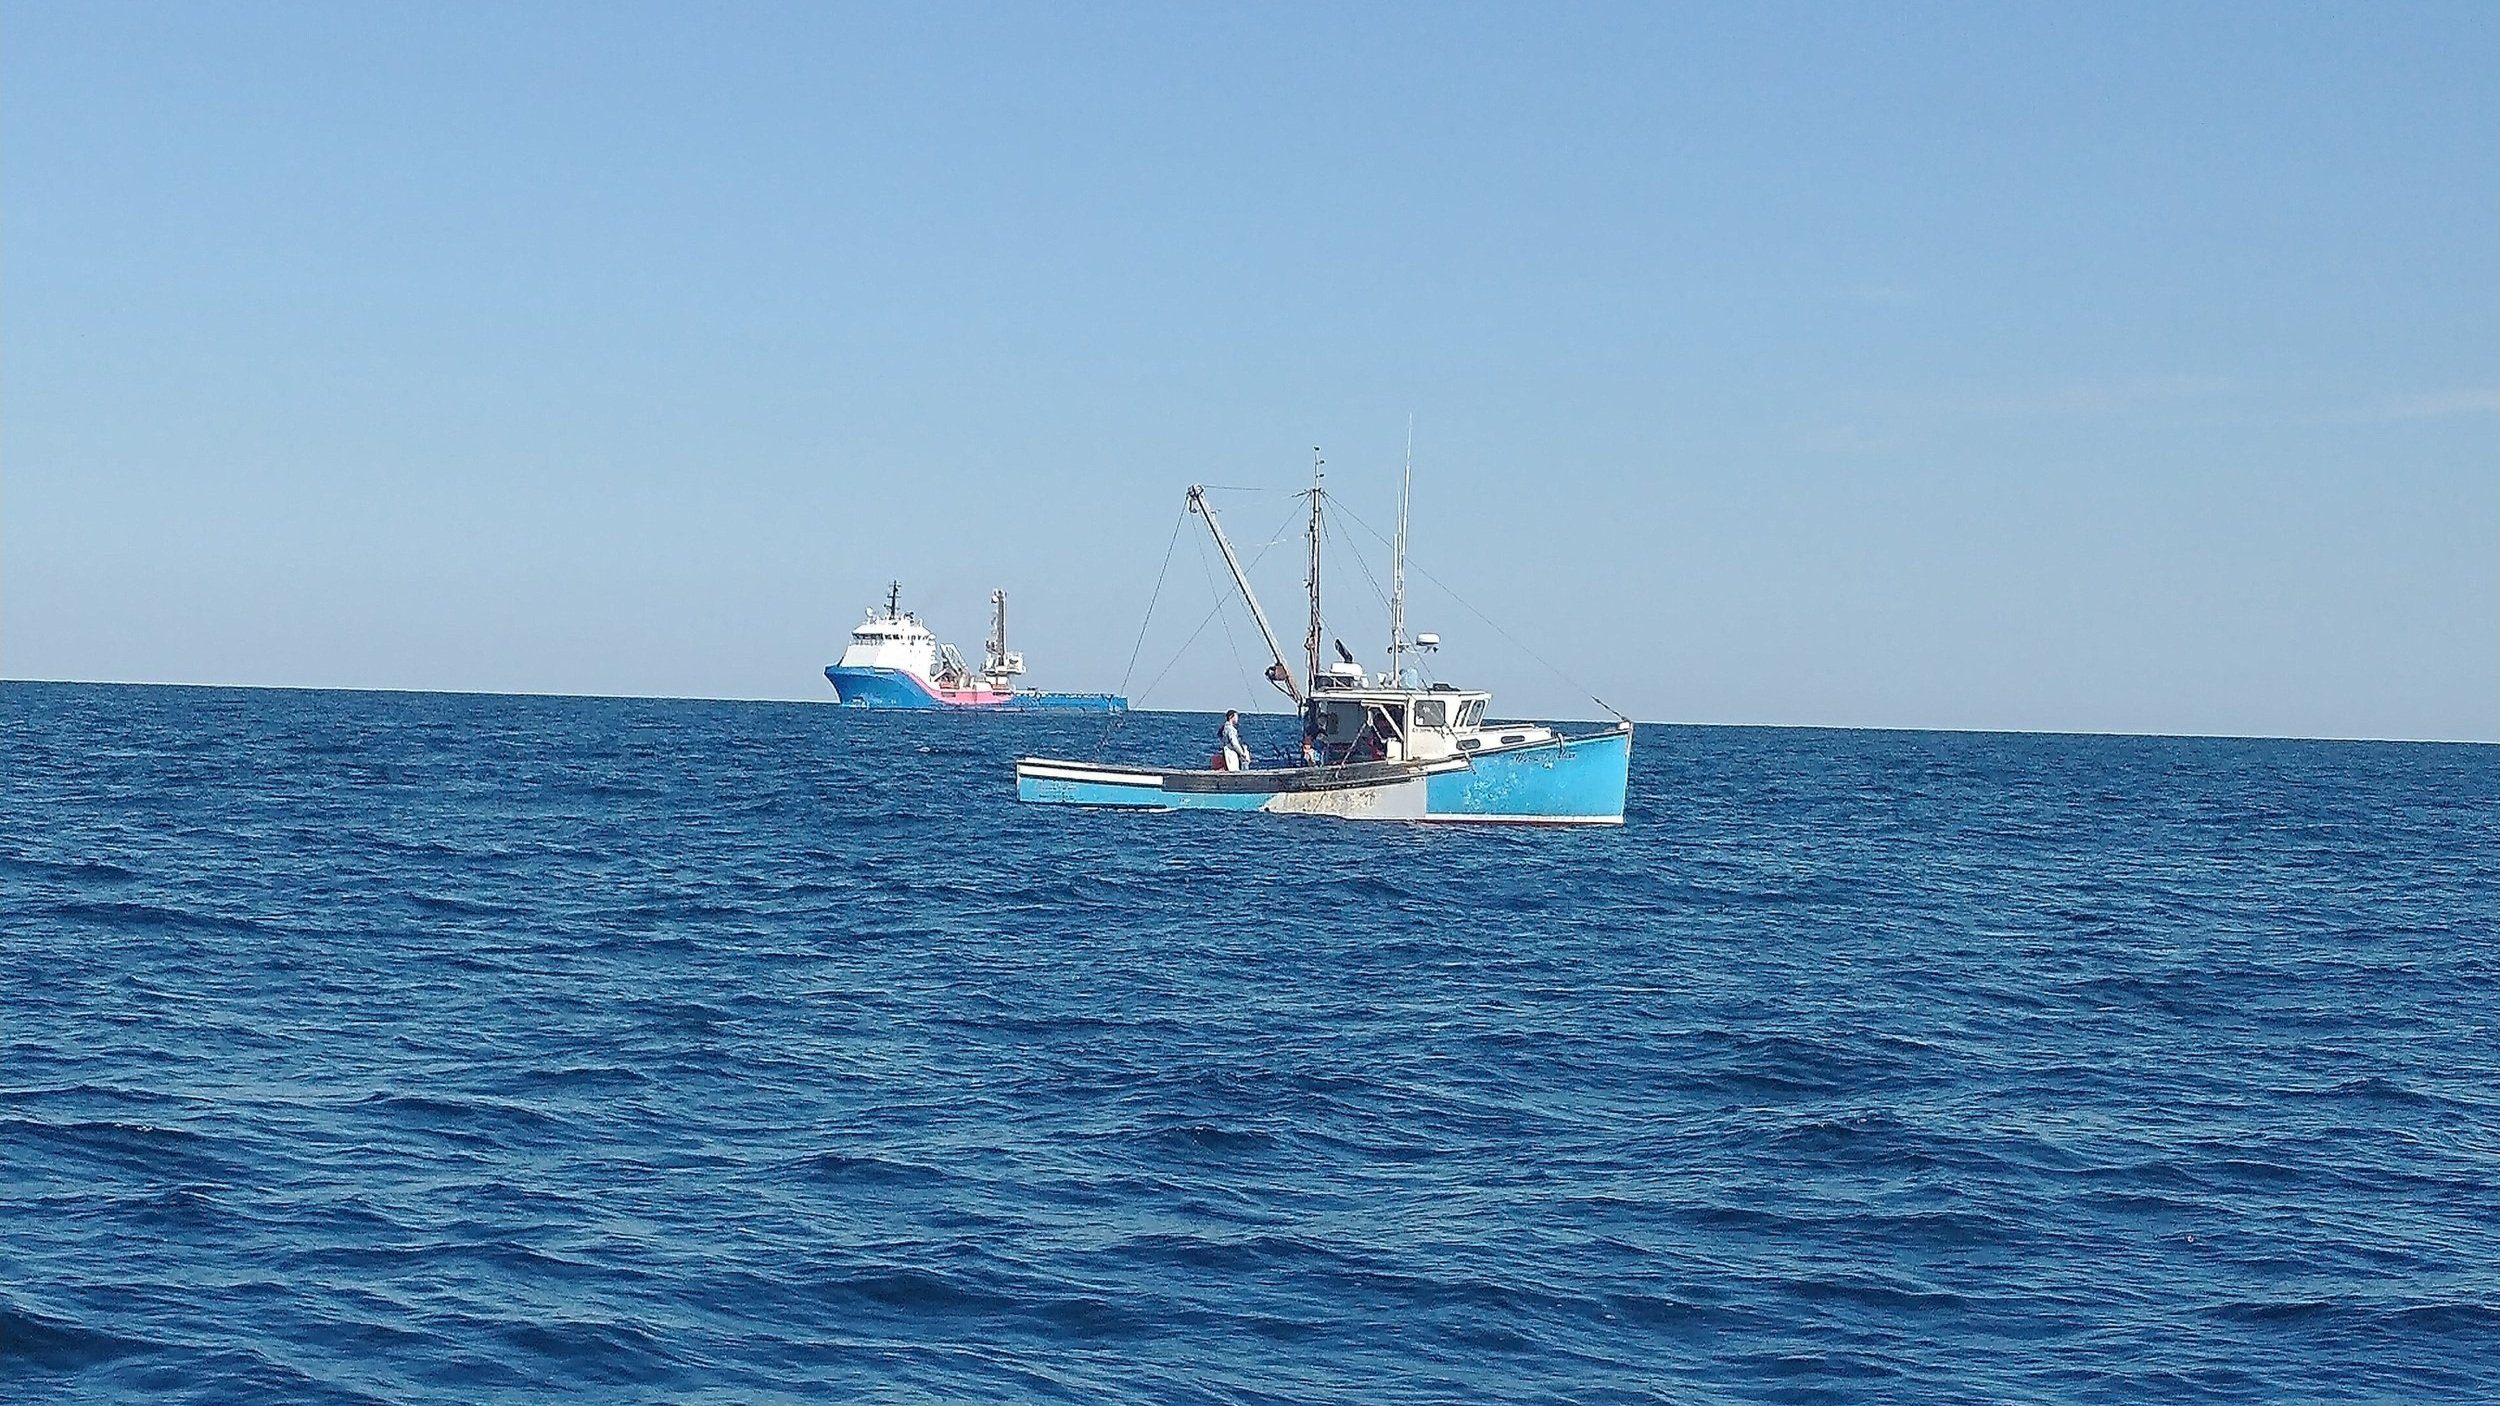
[{"x": 376, "y": 1047}]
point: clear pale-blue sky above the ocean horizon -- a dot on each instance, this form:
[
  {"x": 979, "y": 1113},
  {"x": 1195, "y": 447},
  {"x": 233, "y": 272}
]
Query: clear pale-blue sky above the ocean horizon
[{"x": 1966, "y": 367}]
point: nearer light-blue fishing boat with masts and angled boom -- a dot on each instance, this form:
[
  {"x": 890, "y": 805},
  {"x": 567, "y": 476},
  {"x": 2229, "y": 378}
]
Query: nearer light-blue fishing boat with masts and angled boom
[{"x": 1376, "y": 747}]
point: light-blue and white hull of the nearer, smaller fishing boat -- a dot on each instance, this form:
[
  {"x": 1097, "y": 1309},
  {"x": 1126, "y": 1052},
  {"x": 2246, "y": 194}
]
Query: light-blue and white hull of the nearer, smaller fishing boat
[{"x": 1559, "y": 782}]
